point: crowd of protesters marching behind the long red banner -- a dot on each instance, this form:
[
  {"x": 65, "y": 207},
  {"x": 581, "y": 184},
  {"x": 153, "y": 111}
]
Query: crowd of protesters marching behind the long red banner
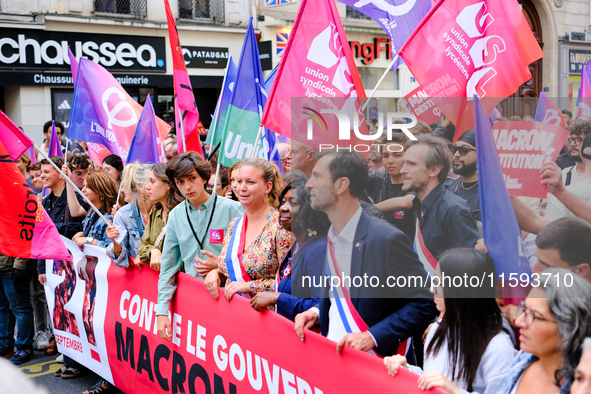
[{"x": 257, "y": 234}]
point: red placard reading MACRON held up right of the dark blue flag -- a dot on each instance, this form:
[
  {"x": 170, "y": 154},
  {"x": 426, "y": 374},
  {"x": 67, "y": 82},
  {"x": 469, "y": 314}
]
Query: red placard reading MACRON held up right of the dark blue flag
[{"x": 523, "y": 147}]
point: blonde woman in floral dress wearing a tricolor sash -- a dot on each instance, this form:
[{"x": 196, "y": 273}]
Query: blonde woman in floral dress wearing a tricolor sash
[{"x": 255, "y": 242}]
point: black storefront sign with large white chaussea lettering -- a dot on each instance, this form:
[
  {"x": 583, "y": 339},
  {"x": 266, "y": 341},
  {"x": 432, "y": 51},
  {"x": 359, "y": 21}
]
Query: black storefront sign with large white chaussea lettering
[{"x": 48, "y": 50}]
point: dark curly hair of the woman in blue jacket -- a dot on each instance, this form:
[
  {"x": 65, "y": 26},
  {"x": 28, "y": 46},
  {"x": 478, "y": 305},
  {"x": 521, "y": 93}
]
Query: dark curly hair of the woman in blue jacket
[{"x": 308, "y": 217}]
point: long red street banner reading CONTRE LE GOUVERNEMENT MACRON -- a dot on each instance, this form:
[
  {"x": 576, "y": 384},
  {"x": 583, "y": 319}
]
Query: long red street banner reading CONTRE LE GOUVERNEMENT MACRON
[{"x": 106, "y": 321}]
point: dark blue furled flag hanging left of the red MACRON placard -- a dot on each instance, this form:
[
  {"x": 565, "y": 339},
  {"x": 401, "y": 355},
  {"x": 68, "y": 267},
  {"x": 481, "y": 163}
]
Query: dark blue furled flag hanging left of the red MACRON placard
[{"x": 501, "y": 232}]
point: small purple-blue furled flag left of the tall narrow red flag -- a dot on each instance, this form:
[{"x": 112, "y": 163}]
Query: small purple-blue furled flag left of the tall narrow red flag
[{"x": 145, "y": 146}]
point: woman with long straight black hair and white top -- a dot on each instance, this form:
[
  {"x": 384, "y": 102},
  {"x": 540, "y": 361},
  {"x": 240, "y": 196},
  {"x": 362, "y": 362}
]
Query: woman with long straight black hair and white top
[{"x": 467, "y": 350}]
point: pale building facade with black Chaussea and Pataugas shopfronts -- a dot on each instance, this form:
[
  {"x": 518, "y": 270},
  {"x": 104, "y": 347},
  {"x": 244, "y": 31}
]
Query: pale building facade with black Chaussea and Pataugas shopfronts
[{"x": 128, "y": 37}]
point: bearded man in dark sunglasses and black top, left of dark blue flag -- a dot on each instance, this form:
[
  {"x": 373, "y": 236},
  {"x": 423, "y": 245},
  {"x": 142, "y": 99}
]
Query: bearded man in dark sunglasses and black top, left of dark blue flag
[{"x": 464, "y": 164}]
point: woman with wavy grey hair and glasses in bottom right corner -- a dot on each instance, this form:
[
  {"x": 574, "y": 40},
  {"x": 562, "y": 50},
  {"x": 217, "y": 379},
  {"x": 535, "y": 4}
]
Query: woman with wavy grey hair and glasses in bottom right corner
[{"x": 553, "y": 322}]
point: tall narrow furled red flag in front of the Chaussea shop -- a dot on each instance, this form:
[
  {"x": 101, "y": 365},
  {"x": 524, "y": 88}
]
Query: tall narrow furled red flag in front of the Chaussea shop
[{"x": 184, "y": 99}]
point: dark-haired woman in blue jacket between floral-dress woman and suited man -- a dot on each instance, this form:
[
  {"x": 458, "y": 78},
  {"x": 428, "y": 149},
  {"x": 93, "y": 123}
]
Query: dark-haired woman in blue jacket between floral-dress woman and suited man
[{"x": 308, "y": 253}]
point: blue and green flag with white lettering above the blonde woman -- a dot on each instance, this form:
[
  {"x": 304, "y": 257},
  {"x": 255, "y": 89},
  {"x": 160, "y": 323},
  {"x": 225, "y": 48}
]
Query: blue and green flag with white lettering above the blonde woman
[{"x": 245, "y": 110}]
